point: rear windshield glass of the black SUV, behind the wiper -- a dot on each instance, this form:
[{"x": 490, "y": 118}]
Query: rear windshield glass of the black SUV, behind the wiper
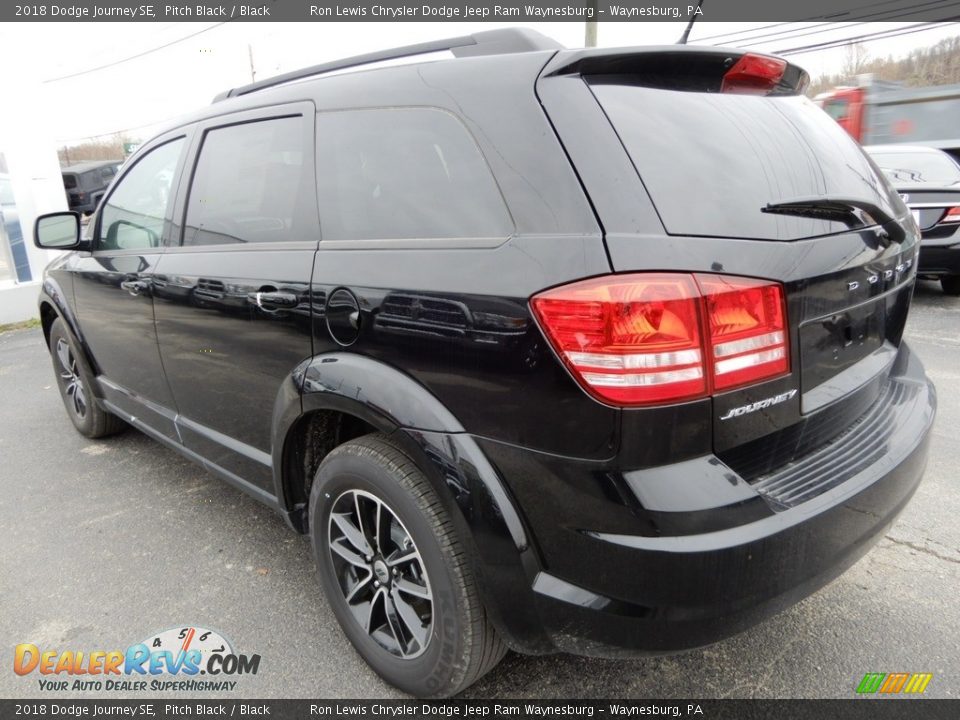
[{"x": 711, "y": 162}]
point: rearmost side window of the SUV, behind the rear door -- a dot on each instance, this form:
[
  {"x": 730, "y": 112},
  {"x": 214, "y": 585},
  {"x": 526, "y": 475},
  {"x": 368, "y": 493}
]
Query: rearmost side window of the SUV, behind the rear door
[{"x": 404, "y": 173}]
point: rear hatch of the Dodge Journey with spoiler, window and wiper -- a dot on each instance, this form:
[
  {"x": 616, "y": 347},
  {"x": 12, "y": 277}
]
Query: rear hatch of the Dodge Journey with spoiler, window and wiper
[{"x": 746, "y": 177}]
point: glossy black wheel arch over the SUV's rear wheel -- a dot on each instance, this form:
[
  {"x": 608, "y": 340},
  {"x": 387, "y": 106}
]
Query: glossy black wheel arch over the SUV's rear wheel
[{"x": 355, "y": 394}]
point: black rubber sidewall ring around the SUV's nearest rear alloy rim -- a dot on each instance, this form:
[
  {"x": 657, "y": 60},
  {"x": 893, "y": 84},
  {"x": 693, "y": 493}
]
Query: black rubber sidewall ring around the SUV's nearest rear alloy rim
[{"x": 432, "y": 672}]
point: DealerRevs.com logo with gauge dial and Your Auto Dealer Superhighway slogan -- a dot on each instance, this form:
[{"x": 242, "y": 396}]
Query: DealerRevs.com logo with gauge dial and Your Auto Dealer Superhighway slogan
[{"x": 188, "y": 658}]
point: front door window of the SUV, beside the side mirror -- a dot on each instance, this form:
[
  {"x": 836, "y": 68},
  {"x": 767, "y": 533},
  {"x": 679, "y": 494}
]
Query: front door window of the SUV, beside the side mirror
[{"x": 133, "y": 216}]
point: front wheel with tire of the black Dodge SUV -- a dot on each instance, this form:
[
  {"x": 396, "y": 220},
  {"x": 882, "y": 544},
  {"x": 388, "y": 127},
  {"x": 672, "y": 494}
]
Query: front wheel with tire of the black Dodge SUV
[{"x": 76, "y": 383}]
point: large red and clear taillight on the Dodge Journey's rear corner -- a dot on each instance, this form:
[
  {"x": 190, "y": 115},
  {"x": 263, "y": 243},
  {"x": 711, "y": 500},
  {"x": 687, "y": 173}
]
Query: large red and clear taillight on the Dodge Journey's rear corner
[{"x": 662, "y": 337}]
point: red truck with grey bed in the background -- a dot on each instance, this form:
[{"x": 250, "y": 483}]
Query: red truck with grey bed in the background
[{"x": 877, "y": 112}]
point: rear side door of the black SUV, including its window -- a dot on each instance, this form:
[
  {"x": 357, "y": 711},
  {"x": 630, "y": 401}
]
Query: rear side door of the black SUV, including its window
[{"x": 232, "y": 301}]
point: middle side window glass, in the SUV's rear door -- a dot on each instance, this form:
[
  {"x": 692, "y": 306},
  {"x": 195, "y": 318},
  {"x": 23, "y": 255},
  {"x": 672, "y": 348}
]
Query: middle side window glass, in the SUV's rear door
[{"x": 249, "y": 184}]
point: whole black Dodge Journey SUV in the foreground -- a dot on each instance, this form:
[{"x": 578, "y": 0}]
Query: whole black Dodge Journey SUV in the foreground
[{"x": 594, "y": 351}]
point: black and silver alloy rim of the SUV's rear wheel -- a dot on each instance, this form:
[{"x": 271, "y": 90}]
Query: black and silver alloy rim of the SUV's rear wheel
[{"x": 380, "y": 573}]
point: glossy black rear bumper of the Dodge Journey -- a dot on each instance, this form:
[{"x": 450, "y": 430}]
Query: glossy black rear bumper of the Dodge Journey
[{"x": 601, "y": 591}]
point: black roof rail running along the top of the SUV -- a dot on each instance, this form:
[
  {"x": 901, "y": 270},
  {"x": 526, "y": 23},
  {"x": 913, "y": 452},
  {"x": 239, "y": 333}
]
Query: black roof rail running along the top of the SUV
[{"x": 489, "y": 42}]
